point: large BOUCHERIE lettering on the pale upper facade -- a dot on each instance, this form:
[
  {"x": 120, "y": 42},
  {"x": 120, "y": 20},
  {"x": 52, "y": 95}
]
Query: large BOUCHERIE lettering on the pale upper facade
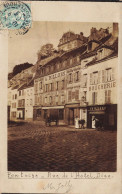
[{"x": 102, "y": 86}]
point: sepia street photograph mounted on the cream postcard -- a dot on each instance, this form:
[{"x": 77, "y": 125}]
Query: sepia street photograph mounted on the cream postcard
[{"x": 62, "y": 98}]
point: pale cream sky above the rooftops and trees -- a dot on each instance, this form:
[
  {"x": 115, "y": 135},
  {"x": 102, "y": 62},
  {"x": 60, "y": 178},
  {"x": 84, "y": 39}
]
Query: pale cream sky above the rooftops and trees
[{"x": 24, "y": 48}]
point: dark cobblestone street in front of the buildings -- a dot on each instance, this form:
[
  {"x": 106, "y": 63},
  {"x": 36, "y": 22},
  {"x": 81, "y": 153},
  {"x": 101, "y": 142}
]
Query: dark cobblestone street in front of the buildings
[{"x": 34, "y": 147}]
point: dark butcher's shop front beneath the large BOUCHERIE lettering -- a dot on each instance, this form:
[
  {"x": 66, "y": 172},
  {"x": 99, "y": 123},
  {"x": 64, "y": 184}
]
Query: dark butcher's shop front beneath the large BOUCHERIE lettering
[{"x": 105, "y": 114}]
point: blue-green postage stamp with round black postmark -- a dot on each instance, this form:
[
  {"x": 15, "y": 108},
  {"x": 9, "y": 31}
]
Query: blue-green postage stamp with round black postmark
[{"x": 15, "y": 16}]
